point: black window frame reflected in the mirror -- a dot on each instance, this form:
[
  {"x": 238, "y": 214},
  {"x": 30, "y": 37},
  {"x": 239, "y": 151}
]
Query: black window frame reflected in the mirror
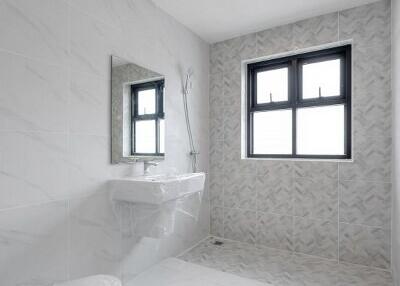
[{"x": 159, "y": 114}]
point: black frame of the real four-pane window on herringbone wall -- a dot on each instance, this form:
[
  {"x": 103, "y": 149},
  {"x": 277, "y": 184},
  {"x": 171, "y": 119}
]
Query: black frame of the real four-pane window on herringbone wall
[{"x": 295, "y": 100}]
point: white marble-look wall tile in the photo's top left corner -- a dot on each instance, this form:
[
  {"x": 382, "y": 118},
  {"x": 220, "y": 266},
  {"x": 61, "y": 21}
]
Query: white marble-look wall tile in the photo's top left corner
[{"x": 36, "y": 31}]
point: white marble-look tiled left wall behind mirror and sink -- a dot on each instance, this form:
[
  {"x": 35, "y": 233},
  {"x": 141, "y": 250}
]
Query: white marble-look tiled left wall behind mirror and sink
[{"x": 55, "y": 130}]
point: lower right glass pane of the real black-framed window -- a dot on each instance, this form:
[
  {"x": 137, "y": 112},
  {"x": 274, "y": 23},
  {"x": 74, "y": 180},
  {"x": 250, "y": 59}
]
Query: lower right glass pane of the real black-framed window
[{"x": 320, "y": 130}]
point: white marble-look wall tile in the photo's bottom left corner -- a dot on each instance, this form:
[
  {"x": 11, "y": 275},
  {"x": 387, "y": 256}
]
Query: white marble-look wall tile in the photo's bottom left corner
[{"x": 34, "y": 245}]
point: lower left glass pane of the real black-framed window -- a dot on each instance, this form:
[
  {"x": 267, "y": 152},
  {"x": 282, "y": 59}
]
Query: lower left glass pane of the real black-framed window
[{"x": 272, "y": 132}]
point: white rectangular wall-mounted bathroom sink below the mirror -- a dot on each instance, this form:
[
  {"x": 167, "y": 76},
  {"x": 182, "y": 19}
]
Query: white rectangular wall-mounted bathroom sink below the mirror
[{"x": 157, "y": 189}]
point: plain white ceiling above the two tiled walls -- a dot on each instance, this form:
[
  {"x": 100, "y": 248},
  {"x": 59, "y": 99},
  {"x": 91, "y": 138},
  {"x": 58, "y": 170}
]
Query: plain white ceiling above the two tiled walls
[{"x": 218, "y": 20}]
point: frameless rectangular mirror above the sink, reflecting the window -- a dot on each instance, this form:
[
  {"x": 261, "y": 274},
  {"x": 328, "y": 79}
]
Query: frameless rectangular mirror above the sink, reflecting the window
[{"x": 137, "y": 112}]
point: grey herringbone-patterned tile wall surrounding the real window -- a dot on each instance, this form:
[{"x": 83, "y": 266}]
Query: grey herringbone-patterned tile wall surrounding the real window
[{"x": 327, "y": 209}]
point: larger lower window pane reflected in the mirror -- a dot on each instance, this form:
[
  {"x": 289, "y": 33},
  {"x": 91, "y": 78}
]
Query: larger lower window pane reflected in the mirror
[{"x": 145, "y": 136}]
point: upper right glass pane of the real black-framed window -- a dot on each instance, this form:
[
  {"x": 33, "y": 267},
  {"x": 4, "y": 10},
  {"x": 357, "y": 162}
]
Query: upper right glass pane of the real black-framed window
[{"x": 321, "y": 78}]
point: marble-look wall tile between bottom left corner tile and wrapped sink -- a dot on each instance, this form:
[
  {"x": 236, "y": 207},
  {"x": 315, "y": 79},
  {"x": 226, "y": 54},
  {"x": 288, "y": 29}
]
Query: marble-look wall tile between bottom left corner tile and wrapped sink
[{"x": 95, "y": 237}]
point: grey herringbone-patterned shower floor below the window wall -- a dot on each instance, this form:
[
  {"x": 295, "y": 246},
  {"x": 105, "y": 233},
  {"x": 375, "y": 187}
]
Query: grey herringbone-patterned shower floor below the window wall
[{"x": 280, "y": 268}]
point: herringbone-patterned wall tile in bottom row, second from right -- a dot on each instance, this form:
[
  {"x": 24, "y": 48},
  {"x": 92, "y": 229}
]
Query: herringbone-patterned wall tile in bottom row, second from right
[{"x": 316, "y": 237}]
